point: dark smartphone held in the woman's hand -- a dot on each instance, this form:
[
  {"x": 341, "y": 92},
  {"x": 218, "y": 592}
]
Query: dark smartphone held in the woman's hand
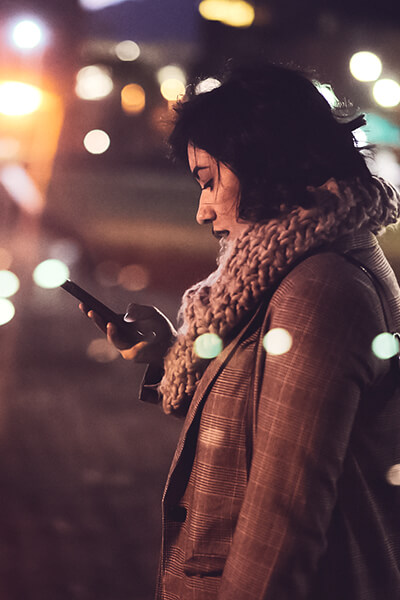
[{"x": 128, "y": 331}]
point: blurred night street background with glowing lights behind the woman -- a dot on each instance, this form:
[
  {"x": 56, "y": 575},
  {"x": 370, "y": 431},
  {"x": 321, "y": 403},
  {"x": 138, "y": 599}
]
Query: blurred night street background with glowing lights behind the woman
[{"x": 86, "y": 95}]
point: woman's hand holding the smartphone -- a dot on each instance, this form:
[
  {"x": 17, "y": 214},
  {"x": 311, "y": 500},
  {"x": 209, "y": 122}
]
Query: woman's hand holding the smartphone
[{"x": 157, "y": 331}]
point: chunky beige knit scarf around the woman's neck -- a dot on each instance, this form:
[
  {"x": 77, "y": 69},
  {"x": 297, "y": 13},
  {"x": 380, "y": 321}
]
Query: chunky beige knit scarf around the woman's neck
[{"x": 256, "y": 260}]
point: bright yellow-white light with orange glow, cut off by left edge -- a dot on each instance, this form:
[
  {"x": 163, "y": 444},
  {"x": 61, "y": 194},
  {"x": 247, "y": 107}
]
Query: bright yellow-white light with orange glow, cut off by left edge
[{"x": 17, "y": 99}]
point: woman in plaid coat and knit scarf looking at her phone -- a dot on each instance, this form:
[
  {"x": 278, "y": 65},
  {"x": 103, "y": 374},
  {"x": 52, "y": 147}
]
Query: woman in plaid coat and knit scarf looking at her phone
[{"x": 282, "y": 484}]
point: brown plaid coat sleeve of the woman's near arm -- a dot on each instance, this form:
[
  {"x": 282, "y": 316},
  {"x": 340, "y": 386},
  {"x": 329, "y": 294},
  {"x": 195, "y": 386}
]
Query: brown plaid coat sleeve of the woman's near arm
[{"x": 308, "y": 401}]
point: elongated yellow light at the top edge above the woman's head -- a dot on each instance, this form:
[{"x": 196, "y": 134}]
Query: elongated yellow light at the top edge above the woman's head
[{"x": 235, "y": 13}]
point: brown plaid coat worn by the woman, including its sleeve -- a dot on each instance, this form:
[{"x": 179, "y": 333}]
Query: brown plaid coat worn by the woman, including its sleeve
[{"x": 279, "y": 487}]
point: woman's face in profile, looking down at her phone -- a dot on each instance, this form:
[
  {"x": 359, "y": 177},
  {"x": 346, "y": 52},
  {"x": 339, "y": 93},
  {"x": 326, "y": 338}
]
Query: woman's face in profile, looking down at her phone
[{"x": 220, "y": 191}]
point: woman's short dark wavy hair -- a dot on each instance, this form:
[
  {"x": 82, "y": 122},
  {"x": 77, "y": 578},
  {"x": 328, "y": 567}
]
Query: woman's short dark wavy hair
[{"x": 273, "y": 128}]
